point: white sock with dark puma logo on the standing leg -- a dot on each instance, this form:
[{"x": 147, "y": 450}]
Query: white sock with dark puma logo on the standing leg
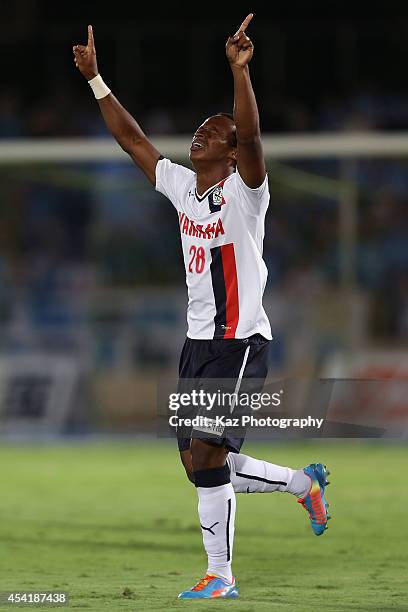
[{"x": 216, "y": 509}]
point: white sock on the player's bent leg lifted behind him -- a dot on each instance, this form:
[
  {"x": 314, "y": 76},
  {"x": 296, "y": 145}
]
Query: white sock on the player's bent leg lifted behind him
[{"x": 249, "y": 475}]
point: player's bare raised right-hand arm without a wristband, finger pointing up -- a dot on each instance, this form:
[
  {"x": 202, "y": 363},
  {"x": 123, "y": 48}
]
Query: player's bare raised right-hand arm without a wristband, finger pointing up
[{"x": 250, "y": 159}]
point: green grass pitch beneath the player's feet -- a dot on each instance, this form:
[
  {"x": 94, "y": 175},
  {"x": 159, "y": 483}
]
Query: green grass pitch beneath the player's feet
[{"x": 115, "y": 525}]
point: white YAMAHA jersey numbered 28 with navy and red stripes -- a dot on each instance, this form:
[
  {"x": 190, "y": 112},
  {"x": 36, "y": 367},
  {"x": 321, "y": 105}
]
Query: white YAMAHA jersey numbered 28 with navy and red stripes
[{"x": 222, "y": 235}]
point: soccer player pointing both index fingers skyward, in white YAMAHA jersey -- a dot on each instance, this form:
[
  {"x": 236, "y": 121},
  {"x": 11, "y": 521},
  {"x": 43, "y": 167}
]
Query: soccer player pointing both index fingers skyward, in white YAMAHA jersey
[{"x": 221, "y": 207}]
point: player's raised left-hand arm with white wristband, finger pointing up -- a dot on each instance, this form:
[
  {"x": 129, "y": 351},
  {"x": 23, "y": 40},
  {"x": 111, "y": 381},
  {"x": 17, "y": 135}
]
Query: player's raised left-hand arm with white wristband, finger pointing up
[{"x": 121, "y": 124}]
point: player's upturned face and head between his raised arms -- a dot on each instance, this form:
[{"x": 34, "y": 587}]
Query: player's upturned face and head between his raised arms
[{"x": 213, "y": 140}]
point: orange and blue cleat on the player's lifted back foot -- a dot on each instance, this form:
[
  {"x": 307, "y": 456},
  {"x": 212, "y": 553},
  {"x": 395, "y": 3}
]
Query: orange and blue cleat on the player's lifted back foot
[{"x": 314, "y": 502}]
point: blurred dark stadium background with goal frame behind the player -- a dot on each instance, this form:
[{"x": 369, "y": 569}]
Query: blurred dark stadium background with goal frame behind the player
[{"x": 92, "y": 295}]
